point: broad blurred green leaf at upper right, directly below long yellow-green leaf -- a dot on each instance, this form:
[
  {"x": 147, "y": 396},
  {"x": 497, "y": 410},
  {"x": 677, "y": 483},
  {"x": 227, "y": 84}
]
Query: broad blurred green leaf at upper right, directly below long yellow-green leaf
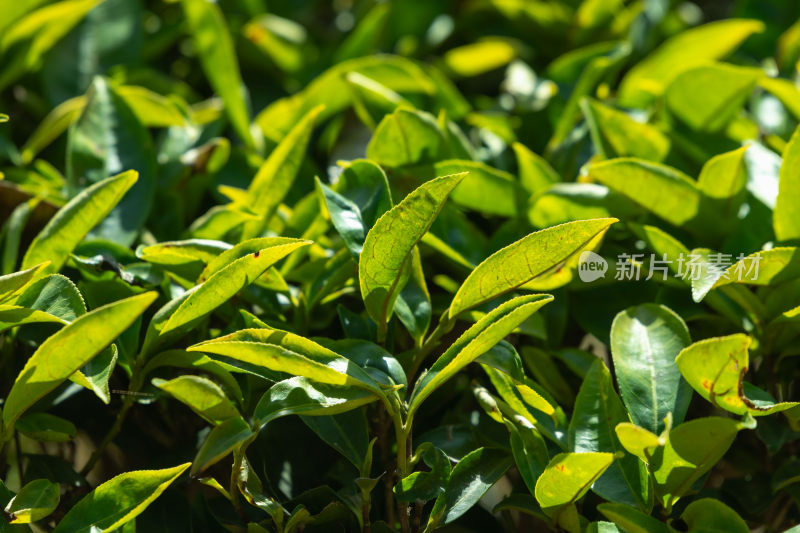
[{"x": 708, "y": 97}]
